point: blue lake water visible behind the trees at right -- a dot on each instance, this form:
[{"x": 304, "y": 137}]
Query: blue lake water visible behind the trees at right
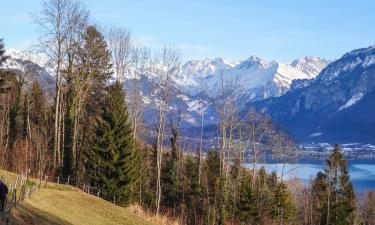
[{"x": 362, "y": 171}]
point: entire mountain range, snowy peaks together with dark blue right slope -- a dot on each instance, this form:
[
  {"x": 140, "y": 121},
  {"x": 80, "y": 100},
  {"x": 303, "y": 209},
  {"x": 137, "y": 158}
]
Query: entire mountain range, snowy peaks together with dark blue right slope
[{"x": 313, "y": 98}]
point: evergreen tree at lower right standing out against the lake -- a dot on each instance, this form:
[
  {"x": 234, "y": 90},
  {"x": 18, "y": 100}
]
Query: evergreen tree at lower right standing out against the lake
[{"x": 333, "y": 192}]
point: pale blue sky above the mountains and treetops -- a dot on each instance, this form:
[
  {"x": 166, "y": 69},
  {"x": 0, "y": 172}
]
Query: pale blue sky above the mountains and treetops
[{"x": 281, "y": 30}]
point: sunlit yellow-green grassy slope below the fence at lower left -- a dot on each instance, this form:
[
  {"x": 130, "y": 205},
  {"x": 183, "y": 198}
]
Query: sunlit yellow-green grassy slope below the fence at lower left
[{"x": 60, "y": 204}]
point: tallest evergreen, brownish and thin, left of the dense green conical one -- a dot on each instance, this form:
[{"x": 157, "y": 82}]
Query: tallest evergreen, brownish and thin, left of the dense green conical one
[{"x": 88, "y": 72}]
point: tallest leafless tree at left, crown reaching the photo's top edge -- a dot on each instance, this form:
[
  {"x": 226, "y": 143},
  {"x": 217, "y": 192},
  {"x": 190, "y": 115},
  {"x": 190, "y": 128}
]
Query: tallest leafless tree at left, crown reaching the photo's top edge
[{"x": 59, "y": 20}]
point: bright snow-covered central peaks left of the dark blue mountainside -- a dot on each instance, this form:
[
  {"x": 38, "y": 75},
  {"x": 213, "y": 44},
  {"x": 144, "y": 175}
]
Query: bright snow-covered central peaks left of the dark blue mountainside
[{"x": 254, "y": 77}]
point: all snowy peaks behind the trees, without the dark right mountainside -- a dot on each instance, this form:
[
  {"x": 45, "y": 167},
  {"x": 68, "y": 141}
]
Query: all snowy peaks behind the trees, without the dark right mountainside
[{"x": 198, "y": 82}]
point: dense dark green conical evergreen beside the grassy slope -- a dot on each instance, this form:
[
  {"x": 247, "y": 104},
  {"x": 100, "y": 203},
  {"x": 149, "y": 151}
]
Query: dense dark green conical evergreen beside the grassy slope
[{"x": 112, "y": 160}]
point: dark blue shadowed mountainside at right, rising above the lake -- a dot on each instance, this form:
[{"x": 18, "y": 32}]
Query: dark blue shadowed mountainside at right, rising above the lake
[{"x": 336, "y": 106}]
